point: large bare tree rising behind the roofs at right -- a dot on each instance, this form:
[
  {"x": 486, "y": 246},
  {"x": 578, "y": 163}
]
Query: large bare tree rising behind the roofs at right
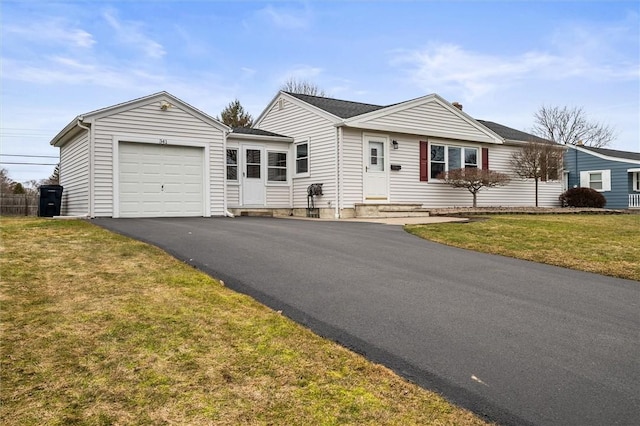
[{"x": 570, "y": 126}]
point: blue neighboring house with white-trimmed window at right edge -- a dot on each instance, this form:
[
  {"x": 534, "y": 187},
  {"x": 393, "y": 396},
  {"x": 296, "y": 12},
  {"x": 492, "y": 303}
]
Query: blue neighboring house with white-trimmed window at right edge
[{"x": 616, "y": 174}]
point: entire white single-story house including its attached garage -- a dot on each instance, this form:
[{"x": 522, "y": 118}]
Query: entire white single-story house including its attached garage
[{"x": 159, "y": 156}]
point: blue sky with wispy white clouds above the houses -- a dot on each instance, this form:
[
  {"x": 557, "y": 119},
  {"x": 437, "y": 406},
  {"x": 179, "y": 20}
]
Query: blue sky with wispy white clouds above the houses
[{"x": 502, "y": 60}]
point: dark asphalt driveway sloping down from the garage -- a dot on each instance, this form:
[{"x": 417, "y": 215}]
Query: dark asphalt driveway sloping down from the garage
[{"x": 516, "y": 341}]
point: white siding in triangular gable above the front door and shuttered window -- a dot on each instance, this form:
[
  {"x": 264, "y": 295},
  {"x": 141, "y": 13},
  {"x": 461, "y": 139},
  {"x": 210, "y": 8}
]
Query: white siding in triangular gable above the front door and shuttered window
[{"x": 430, "y": 118}]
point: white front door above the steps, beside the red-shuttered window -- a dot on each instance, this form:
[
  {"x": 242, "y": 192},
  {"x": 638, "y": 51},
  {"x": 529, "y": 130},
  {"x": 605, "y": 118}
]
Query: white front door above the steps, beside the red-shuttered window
[{"x": 376, "y": 171}]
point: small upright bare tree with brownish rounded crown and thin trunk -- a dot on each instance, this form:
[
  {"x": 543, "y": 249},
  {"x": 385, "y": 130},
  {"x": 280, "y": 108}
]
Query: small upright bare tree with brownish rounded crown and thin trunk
[{"x": 539, "y": 161}]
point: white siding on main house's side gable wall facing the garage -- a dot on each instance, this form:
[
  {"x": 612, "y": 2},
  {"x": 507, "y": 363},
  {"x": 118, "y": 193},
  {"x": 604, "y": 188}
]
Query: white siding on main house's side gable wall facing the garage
[{"x": 300, "y": 123}]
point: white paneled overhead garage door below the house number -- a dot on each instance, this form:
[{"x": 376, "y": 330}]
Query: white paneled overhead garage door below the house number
[{"x": 160, "y": 180}]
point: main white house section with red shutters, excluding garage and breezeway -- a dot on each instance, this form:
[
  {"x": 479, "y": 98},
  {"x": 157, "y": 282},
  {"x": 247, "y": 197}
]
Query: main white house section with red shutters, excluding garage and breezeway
[{"x": 367, "y": 154}]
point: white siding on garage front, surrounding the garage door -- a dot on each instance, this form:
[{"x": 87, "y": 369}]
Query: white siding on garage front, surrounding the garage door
[{"x": 149, "y": 121}]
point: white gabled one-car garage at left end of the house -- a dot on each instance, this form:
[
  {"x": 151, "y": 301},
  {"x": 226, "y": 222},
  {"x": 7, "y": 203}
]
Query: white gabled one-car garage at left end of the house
[{"x": 155, "y": 156}]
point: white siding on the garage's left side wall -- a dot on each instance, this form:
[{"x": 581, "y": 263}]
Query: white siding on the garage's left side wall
[{"x": 74, "y": 176}]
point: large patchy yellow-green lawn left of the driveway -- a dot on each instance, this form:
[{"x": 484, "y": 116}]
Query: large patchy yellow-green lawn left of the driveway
[{"x": 99, "y": 329}]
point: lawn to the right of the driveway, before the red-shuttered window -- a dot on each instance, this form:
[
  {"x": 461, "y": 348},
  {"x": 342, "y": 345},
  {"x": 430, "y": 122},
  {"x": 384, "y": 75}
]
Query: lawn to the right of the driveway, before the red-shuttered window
[{"x": 604, "y": 244}]
